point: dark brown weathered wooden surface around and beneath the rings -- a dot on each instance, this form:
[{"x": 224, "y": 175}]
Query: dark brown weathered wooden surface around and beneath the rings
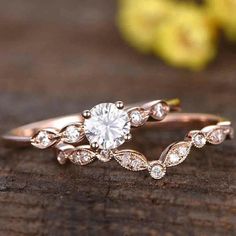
[{"x": 60, "y": 57}]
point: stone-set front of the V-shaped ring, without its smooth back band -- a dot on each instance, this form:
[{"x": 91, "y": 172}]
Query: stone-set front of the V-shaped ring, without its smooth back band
[{"x": 172, "y": 156}]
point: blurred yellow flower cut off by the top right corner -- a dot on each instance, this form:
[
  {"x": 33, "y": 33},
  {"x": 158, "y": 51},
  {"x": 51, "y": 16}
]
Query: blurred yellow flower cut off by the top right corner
[{"x": 224, "y": 12}]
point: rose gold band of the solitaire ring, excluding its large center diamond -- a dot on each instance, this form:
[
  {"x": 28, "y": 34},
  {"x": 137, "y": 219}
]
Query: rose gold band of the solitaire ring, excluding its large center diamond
[{"x": 138, "y": 113}]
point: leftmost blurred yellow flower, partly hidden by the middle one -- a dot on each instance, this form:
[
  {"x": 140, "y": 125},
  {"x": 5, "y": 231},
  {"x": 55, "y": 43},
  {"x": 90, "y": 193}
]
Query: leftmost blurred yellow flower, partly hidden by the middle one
[{"x": 139, "y": 19}]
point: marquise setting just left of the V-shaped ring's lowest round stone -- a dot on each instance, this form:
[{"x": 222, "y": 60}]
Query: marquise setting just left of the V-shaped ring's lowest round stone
[{"x": 131, "y": 160}]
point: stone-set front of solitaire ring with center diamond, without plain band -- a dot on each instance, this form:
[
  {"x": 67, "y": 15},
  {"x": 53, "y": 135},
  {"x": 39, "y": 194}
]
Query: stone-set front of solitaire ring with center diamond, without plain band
[{"x": 126, "y": 117}]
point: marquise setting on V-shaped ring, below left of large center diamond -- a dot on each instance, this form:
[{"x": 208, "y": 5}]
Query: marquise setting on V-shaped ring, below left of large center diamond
[{"x": 82, "y": 155}]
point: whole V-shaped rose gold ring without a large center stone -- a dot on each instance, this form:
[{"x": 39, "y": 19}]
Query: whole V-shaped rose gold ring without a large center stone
[{"x": 216, "y": 131}]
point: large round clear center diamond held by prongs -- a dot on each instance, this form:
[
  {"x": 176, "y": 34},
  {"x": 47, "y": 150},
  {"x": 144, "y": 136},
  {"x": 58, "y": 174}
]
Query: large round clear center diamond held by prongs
[{"x": 107, "y": 126}]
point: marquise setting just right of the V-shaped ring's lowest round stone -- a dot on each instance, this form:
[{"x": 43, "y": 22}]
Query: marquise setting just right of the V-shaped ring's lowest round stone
[{"x": 176, "y": 153}]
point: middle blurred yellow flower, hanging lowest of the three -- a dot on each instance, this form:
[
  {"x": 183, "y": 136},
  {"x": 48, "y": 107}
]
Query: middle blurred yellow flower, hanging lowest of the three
[{"x": 187, "y": 39}]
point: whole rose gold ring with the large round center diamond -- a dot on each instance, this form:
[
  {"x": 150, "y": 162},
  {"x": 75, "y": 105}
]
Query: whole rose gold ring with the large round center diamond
[{"x": 73, "y": 129}]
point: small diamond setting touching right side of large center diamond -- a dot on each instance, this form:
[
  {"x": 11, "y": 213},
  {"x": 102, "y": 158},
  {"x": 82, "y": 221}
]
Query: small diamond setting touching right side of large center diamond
[{"x": 138, "y": 116}]
